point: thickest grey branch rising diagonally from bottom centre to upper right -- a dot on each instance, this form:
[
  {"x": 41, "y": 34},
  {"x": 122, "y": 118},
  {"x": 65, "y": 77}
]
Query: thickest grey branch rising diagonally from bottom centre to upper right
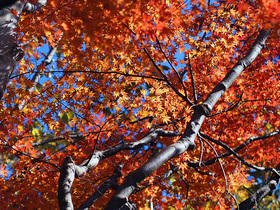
[{"x": 186, "y": 142}]
